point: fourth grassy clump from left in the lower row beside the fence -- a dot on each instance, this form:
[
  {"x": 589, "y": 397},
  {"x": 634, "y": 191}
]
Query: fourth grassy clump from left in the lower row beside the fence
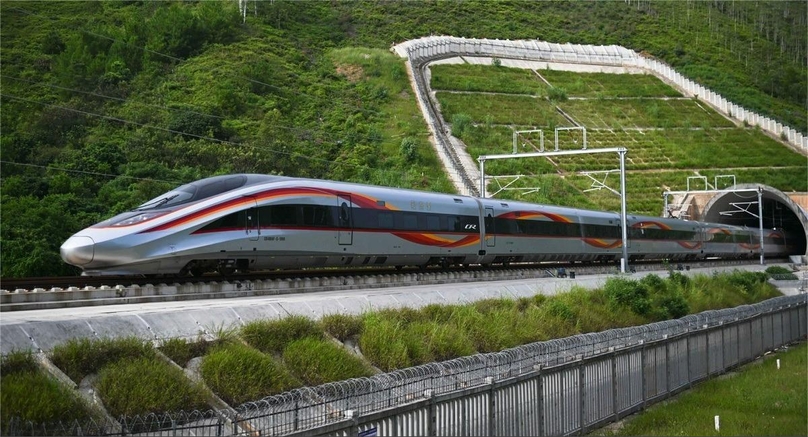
[{"x": 317, "y": 362}]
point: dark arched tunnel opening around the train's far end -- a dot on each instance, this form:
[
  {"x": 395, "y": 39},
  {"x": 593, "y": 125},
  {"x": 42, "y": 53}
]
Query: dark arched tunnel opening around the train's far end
[{"x": 779, "y": 212}]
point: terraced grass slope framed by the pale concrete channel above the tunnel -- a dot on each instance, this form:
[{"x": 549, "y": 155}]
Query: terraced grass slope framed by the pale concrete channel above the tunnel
[{"x": 668, "y": 136}]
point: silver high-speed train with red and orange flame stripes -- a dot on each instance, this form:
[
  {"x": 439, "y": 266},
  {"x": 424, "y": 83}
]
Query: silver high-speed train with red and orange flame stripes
[{"x": 252, "y": 222}]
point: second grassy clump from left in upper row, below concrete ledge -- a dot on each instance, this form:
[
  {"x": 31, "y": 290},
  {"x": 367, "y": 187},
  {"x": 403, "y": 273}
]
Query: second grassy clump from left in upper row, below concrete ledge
[{"x": 81, "y": 357}]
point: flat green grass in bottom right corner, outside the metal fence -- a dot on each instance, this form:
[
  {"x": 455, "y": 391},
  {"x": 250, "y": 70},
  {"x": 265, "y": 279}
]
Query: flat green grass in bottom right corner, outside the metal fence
[{"x": 759, "y": 399}]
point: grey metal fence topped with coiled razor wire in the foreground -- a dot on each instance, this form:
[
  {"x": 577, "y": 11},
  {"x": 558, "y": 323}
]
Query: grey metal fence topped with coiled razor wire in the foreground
[{"x": 557, "y": 387}]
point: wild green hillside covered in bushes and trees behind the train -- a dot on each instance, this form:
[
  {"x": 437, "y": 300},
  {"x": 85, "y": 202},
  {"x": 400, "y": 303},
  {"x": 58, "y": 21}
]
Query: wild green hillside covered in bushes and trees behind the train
[{"x": 106, "y": 104}]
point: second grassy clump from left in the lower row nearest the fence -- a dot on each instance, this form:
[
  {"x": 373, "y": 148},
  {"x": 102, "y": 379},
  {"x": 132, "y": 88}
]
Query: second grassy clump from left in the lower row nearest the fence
[{"x": 147, "y": 385}]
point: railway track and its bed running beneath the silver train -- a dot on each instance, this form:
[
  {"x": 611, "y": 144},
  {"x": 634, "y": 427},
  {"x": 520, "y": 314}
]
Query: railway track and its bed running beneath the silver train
[{"x": 67, "y": 292}]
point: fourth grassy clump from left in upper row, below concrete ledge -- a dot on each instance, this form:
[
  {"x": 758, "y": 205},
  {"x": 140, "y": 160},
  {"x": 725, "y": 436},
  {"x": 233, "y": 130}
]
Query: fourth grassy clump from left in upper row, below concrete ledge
[{"x": 272, "y": 336}]
